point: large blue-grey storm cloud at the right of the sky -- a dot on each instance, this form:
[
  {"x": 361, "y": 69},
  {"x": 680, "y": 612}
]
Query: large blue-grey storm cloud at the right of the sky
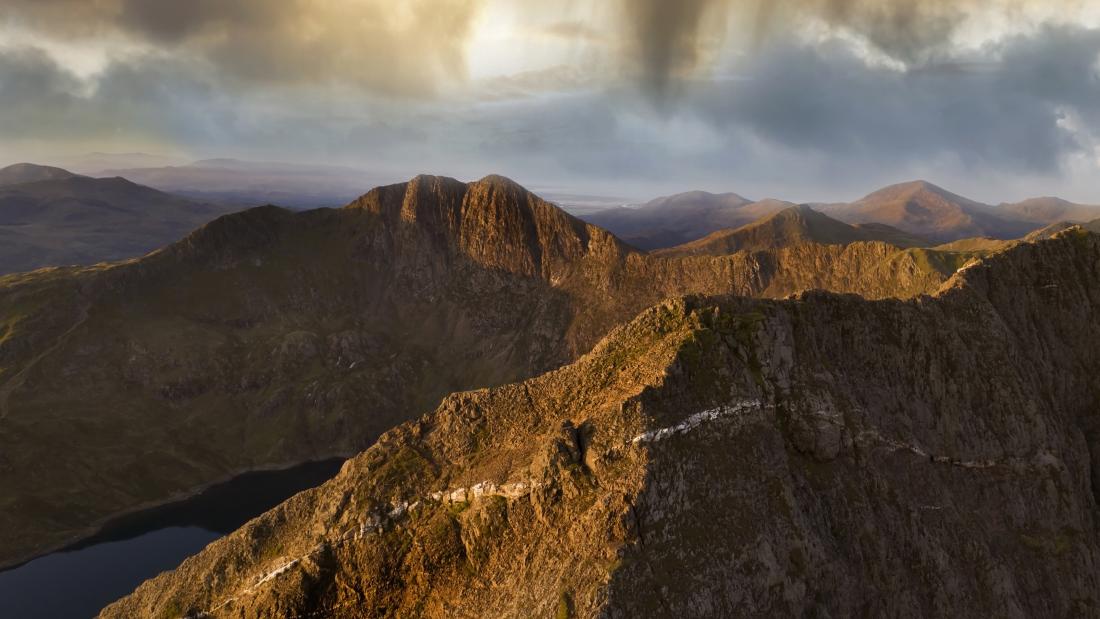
[{"x": 1008, "y": 114}]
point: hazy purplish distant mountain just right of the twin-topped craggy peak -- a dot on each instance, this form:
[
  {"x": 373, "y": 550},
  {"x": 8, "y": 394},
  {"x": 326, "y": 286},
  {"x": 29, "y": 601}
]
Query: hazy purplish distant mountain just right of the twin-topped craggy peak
[{"x": 678, "y": 219}]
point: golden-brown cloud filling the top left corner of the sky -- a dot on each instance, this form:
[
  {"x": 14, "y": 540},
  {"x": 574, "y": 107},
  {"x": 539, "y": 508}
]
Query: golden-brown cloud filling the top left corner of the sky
[{"x": 405, "y": 50}]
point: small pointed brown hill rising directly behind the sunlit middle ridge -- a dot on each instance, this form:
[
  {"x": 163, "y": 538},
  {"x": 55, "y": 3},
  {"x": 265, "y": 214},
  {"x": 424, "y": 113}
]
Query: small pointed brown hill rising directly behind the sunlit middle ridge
[{"x": 795, "y": 226}]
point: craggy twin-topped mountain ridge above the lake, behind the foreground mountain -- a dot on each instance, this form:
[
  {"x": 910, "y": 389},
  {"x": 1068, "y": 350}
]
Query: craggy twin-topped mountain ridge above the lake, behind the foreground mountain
[{"x": 270, "y": 337}]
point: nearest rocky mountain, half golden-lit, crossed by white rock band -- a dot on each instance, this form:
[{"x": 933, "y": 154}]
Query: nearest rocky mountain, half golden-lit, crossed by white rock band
[{"x": 820, "y": 457}]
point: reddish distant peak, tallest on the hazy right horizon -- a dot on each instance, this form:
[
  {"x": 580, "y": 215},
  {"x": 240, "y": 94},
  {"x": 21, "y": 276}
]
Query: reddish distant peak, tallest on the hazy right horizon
[{"x": 925, "y": 209}]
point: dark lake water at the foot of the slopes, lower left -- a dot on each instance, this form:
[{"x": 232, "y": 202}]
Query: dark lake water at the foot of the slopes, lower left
[{"x": 80, "y": 581}]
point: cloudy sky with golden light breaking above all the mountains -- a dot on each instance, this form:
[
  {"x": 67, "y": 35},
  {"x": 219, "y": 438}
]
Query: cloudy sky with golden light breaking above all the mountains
[{"x": 798, "y": 100}]
